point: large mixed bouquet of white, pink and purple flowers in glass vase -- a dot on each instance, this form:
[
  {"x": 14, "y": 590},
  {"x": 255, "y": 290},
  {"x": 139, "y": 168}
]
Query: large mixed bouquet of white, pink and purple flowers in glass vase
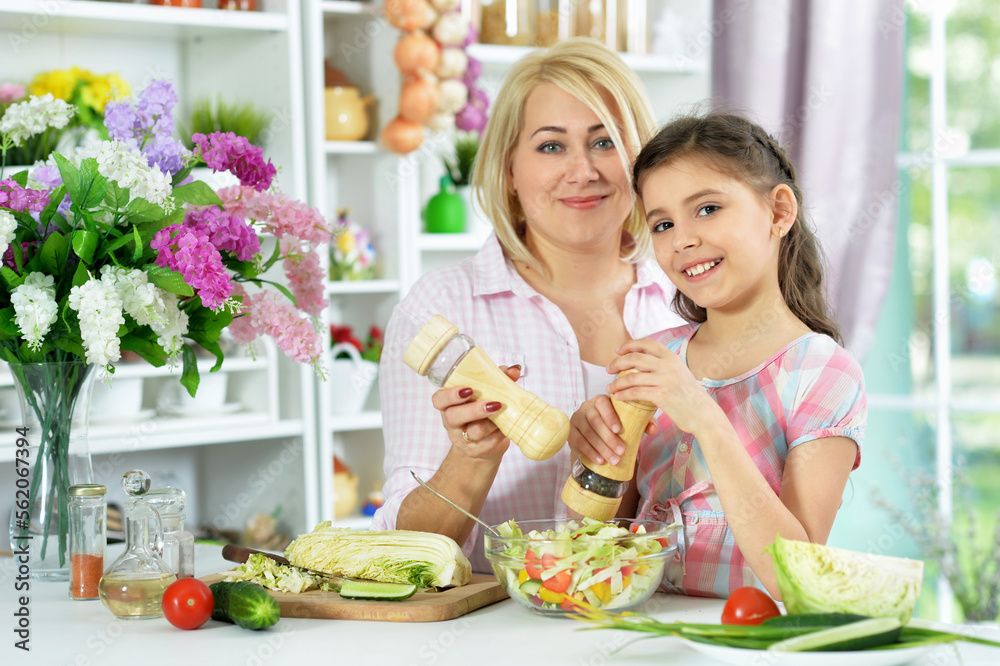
[{"x": 114, "y": 248}]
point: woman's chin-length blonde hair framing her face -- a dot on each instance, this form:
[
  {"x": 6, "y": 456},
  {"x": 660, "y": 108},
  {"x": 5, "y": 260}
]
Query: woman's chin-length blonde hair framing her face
[{"x": 588, "y": 70}]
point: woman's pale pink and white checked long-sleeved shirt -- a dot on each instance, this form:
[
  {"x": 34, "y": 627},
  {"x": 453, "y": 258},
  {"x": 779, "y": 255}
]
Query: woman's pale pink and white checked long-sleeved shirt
[{"x": 487, "y": 300}]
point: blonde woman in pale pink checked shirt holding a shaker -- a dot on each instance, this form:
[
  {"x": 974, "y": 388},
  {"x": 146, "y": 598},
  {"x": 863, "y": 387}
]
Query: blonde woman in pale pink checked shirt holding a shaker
[{"x": 564, "y": 281}]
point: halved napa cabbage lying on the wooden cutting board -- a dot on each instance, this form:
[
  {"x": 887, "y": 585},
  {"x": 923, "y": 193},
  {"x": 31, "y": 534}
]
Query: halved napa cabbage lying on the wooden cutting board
[{"x": 391, "y": 556}]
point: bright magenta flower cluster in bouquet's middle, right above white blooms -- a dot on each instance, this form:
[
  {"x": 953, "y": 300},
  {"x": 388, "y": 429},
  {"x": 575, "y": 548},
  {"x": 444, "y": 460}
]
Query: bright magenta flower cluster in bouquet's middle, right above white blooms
[{"x": 193, "y": 256}]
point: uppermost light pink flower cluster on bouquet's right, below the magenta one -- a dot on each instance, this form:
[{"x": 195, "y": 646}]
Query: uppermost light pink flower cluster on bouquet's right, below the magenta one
[{"x": 282, "y": 216}]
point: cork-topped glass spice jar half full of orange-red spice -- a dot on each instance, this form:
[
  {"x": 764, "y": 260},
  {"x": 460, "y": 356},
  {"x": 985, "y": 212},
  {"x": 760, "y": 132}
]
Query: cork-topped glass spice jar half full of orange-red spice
[{"x": 88, "y": 521}]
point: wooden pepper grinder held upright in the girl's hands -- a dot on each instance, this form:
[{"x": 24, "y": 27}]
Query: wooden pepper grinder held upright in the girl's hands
[{"x": 595, "y": 490}]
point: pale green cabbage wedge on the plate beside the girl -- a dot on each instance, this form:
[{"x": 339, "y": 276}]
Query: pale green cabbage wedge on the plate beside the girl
[{"x": 820, "y": 579}]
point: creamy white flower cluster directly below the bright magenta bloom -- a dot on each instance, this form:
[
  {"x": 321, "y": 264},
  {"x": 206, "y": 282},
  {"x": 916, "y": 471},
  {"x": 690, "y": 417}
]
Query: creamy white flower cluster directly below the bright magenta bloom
[{"x": 150, "y": 306}]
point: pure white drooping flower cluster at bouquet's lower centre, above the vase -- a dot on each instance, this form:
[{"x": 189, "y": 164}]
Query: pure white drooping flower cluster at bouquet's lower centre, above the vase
[{"x": 99, "y": 309}]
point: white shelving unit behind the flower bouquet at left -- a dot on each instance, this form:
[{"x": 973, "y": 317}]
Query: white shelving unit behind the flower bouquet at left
[{"x": 240, "y": 56}]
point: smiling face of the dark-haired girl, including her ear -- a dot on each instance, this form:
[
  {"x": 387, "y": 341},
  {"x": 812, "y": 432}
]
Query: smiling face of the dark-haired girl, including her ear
[{"x": 713, "y": 235}]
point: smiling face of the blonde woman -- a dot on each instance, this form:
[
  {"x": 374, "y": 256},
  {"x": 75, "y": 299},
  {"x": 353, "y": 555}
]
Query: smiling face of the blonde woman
[{"x": 567, "y": 173}]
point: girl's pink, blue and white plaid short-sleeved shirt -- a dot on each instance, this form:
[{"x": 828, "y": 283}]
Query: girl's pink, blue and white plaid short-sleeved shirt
[{"x": 810, "y": 389}]
